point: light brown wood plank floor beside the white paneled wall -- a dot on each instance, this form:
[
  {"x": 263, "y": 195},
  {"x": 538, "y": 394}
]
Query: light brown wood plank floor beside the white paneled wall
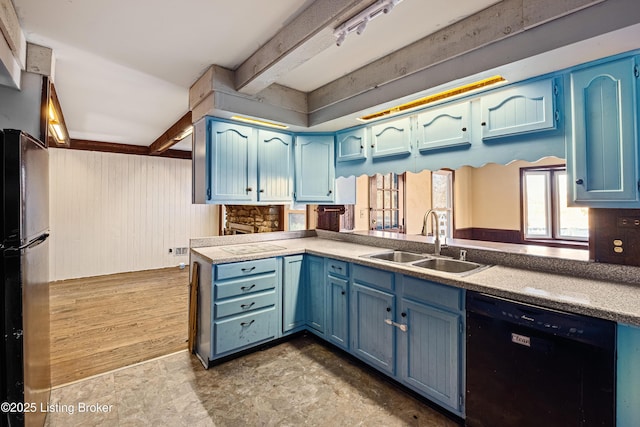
[{"x": 103, "y": 323}]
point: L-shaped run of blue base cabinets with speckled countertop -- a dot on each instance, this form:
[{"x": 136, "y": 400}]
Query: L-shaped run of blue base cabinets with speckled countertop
[{"x": 332, "y": 266}]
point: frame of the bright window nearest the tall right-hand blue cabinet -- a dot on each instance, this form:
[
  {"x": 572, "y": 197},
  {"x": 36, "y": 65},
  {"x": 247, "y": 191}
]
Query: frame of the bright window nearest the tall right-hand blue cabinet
[{"x": 553, "y": 238}]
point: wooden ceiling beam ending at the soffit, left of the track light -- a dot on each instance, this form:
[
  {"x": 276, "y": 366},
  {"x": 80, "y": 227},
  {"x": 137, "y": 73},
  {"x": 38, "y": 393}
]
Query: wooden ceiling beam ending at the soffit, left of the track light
[{"x": 305, "y": 36}]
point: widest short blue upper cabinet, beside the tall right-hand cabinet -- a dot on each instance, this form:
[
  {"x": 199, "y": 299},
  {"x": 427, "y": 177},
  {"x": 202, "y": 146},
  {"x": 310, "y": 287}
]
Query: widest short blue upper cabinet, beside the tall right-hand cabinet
[{"x": 523, "y": 108}]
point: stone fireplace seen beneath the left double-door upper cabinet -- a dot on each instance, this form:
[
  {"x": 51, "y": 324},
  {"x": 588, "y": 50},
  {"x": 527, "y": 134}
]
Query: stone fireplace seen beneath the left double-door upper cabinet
[{"x": 243, "y": 219}]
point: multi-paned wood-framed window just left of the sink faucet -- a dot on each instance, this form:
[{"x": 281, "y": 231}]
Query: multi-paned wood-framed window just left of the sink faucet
[{"x": 386, "y": 202}]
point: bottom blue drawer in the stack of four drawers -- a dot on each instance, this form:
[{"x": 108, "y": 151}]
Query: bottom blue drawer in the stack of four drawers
[{"x": 241, "y": 331}]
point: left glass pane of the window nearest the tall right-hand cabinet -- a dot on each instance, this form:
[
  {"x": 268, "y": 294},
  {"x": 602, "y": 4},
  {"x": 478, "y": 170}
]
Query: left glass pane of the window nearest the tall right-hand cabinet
[{"x": 537, "y": 205}]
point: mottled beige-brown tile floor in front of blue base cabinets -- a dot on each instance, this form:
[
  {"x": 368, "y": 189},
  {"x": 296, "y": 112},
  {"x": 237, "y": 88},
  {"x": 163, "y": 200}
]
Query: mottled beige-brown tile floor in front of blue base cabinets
[{"x": 299, "y": 382}]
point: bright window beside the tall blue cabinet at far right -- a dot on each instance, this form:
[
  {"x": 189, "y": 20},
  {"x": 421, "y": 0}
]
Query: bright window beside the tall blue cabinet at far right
[{"x": 544, "y": 204}]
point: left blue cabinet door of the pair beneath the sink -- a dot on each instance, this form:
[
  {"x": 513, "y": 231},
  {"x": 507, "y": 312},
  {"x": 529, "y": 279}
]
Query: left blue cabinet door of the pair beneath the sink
[{"x": 372, "y": 339}]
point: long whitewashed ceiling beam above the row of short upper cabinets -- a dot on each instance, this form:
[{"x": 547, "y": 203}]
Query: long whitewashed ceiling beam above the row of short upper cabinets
[{"x": 502, "y": 21}]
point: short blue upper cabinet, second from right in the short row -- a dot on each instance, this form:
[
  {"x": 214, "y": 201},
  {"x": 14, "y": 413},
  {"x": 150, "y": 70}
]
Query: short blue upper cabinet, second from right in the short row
[{"x": 443, "y": 127}]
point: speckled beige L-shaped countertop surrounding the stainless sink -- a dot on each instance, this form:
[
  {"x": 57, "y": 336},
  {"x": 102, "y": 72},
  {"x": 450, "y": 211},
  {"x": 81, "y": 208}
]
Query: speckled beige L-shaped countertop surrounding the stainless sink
[{"x": 569, "y": 283}]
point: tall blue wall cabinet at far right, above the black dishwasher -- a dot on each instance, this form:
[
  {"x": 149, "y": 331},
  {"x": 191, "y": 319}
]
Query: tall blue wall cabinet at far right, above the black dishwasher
[{"x": 602, "y": 156}]
